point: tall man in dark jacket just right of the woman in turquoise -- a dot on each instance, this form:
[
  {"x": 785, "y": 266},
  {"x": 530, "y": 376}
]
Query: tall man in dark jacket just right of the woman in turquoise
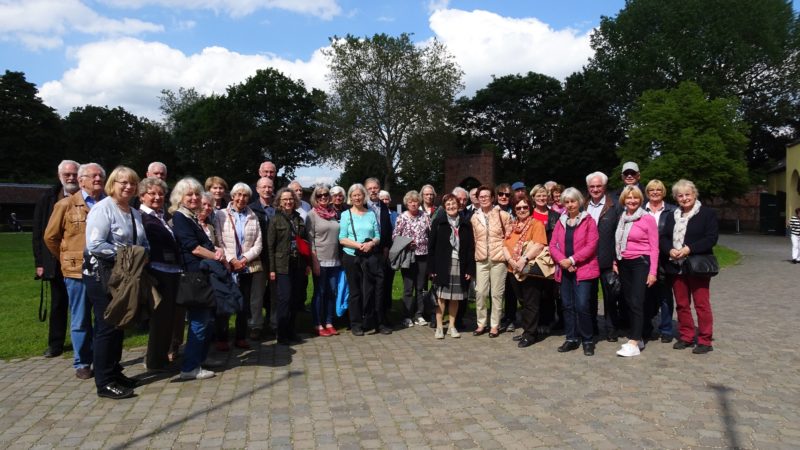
[{"x": 383, "y": 283}]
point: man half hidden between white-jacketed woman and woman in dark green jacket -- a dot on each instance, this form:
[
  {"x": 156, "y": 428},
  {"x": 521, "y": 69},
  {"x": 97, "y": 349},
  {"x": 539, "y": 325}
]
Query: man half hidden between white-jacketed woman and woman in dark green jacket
[{"x": 264, "y": 210}]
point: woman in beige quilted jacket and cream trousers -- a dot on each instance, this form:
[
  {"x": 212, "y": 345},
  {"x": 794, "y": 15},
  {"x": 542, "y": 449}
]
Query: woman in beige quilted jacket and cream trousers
[{"x": 489, "y": 225}]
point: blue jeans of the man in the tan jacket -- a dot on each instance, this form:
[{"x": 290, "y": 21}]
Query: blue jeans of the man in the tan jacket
[{"x": 81, "y": 332}]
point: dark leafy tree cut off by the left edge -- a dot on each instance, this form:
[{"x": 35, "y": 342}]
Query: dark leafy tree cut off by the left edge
[{"x": 30, "y": 132}]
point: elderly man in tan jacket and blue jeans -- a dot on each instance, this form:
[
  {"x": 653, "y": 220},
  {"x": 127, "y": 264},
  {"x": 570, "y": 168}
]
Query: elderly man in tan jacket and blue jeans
[{"x": 65, "y": 237}]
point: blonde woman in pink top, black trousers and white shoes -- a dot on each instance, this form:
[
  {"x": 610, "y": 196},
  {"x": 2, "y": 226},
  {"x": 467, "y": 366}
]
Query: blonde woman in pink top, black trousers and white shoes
[{"x": 636, "y": 263}]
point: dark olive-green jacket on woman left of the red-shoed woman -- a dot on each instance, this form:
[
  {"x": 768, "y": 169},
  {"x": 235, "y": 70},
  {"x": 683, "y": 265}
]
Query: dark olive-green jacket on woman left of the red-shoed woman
[{"x": 280, "y": 242}]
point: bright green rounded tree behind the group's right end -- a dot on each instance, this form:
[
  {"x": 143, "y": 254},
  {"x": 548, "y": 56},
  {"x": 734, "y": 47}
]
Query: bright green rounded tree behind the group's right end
[{"x": 680, "y": 133}]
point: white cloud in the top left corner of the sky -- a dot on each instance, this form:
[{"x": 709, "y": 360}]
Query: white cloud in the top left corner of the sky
[{"x": 42, "y": 23}]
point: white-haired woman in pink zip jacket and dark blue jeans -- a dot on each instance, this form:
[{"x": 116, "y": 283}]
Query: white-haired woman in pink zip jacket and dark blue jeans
[{"x": 574, "y": 249}]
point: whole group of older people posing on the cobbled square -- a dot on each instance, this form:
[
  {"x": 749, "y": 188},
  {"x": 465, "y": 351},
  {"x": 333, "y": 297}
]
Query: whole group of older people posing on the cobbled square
[{"x": 633, "y": 245}]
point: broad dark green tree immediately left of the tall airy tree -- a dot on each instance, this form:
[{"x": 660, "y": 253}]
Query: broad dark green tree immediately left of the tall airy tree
[{"x": 269, "y": 116}]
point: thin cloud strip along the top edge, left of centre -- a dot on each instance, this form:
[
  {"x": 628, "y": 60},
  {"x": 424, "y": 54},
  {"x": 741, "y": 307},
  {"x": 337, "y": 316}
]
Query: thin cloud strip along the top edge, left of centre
[{"x": 324, "y": 9}]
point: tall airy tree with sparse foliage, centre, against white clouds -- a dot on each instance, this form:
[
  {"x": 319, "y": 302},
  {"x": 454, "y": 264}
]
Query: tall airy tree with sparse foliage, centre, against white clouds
[{"x": 387, "y": 93}]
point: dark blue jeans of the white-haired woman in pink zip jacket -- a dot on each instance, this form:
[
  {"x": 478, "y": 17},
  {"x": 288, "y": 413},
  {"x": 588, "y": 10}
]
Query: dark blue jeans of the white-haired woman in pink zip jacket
[{"x": 577, "y": 313}]
